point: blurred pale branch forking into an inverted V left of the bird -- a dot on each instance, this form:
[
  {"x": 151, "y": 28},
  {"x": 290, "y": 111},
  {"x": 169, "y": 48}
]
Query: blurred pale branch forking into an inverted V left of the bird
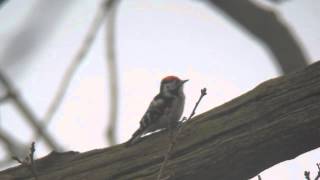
[{"x": 104, "y": 8}]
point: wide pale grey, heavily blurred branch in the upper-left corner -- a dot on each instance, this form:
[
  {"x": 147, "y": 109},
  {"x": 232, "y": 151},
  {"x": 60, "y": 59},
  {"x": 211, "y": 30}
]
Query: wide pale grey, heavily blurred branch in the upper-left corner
[{"x": 34, "y": 31}]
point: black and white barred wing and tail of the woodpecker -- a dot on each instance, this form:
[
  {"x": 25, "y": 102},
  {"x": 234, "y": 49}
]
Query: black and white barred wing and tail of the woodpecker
[{"x": 151, "y": 118}]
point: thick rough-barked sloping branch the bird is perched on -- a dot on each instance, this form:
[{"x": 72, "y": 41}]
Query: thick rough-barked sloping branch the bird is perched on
[{"x": 276, "y": 121}]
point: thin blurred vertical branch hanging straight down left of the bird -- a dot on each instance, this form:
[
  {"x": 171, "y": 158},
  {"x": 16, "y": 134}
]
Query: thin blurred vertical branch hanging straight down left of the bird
[{"x": 112, "y": 72}]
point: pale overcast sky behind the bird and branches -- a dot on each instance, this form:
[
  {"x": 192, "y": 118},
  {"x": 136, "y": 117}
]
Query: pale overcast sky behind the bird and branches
[{"x": 154, "y": 38}]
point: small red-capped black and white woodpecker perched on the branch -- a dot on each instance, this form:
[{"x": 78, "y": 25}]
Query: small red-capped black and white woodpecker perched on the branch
[{"x": 165, "y": 109}]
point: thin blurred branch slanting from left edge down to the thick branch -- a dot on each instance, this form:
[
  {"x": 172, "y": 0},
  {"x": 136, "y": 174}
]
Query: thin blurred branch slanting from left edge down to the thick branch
[{"x": 27, "y": 112}]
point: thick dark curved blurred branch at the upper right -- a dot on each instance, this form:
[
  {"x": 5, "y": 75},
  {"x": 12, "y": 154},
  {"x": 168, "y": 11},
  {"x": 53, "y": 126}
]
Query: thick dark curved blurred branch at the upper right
[{"x": 264, "y": 24}]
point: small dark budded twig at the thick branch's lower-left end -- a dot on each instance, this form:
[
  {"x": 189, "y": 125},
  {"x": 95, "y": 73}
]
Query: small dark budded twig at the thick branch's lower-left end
[{"x": 28, "y": 161}]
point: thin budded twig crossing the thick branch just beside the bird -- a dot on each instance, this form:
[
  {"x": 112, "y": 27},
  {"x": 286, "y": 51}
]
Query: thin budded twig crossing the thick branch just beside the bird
[{"x": 173, "y": 139}]
